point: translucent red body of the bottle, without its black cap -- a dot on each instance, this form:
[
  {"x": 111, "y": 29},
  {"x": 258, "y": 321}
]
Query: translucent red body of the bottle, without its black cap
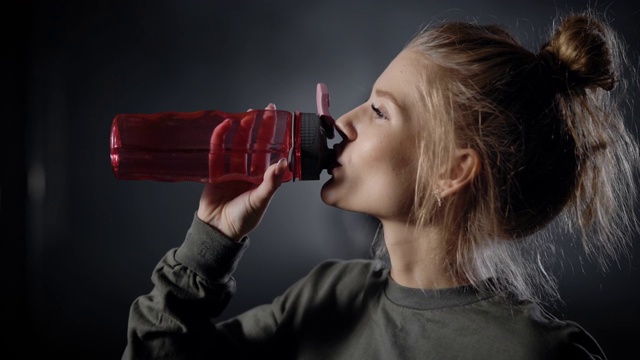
[{"x": 202, "y": 146}]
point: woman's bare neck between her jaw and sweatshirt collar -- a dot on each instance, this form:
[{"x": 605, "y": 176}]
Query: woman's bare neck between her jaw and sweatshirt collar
[{"x": 417, "y": 256}]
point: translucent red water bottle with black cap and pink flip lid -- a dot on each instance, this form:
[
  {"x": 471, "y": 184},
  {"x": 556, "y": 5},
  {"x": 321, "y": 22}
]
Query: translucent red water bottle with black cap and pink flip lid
[{"x": 215, "y": 146}]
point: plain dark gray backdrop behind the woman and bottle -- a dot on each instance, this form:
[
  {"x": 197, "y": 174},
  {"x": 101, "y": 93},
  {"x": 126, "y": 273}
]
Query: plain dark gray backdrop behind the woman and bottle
[{"x": 78, "y": 245}]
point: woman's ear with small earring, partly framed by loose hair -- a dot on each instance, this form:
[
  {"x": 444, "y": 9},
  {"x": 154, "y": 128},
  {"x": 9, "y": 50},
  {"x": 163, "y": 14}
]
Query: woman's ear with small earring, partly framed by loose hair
[{"x": 464, "y": 166}]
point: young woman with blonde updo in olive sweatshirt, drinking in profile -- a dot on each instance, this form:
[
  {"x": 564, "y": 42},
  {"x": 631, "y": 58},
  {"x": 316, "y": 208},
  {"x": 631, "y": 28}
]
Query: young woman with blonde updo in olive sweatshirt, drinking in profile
[{"x": 469, "y": 150}]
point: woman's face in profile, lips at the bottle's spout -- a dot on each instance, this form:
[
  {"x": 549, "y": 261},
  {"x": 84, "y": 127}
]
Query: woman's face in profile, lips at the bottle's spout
[{"x": 378, "y": 156}]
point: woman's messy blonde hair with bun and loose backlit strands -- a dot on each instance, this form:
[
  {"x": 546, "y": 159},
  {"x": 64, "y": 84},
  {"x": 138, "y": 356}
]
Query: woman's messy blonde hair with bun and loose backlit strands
[{"x": 549, "y": 130}]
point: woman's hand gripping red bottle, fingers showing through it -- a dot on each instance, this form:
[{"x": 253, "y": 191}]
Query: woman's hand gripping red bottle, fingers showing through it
[{"x": 236, "y": 207}]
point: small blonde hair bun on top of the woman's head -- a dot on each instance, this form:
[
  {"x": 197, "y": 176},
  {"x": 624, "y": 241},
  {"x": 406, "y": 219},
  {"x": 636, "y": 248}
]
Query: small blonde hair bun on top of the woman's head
[{"x": 579, "y": 54}]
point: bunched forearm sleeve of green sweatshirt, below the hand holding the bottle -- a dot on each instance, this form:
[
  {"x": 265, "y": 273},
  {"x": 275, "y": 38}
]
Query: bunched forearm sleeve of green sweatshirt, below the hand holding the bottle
[{"x": 192, "y": 285}]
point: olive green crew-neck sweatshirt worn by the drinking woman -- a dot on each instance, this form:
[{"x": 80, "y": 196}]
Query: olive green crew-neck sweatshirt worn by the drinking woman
[{"x": 340, "y": 310}]
